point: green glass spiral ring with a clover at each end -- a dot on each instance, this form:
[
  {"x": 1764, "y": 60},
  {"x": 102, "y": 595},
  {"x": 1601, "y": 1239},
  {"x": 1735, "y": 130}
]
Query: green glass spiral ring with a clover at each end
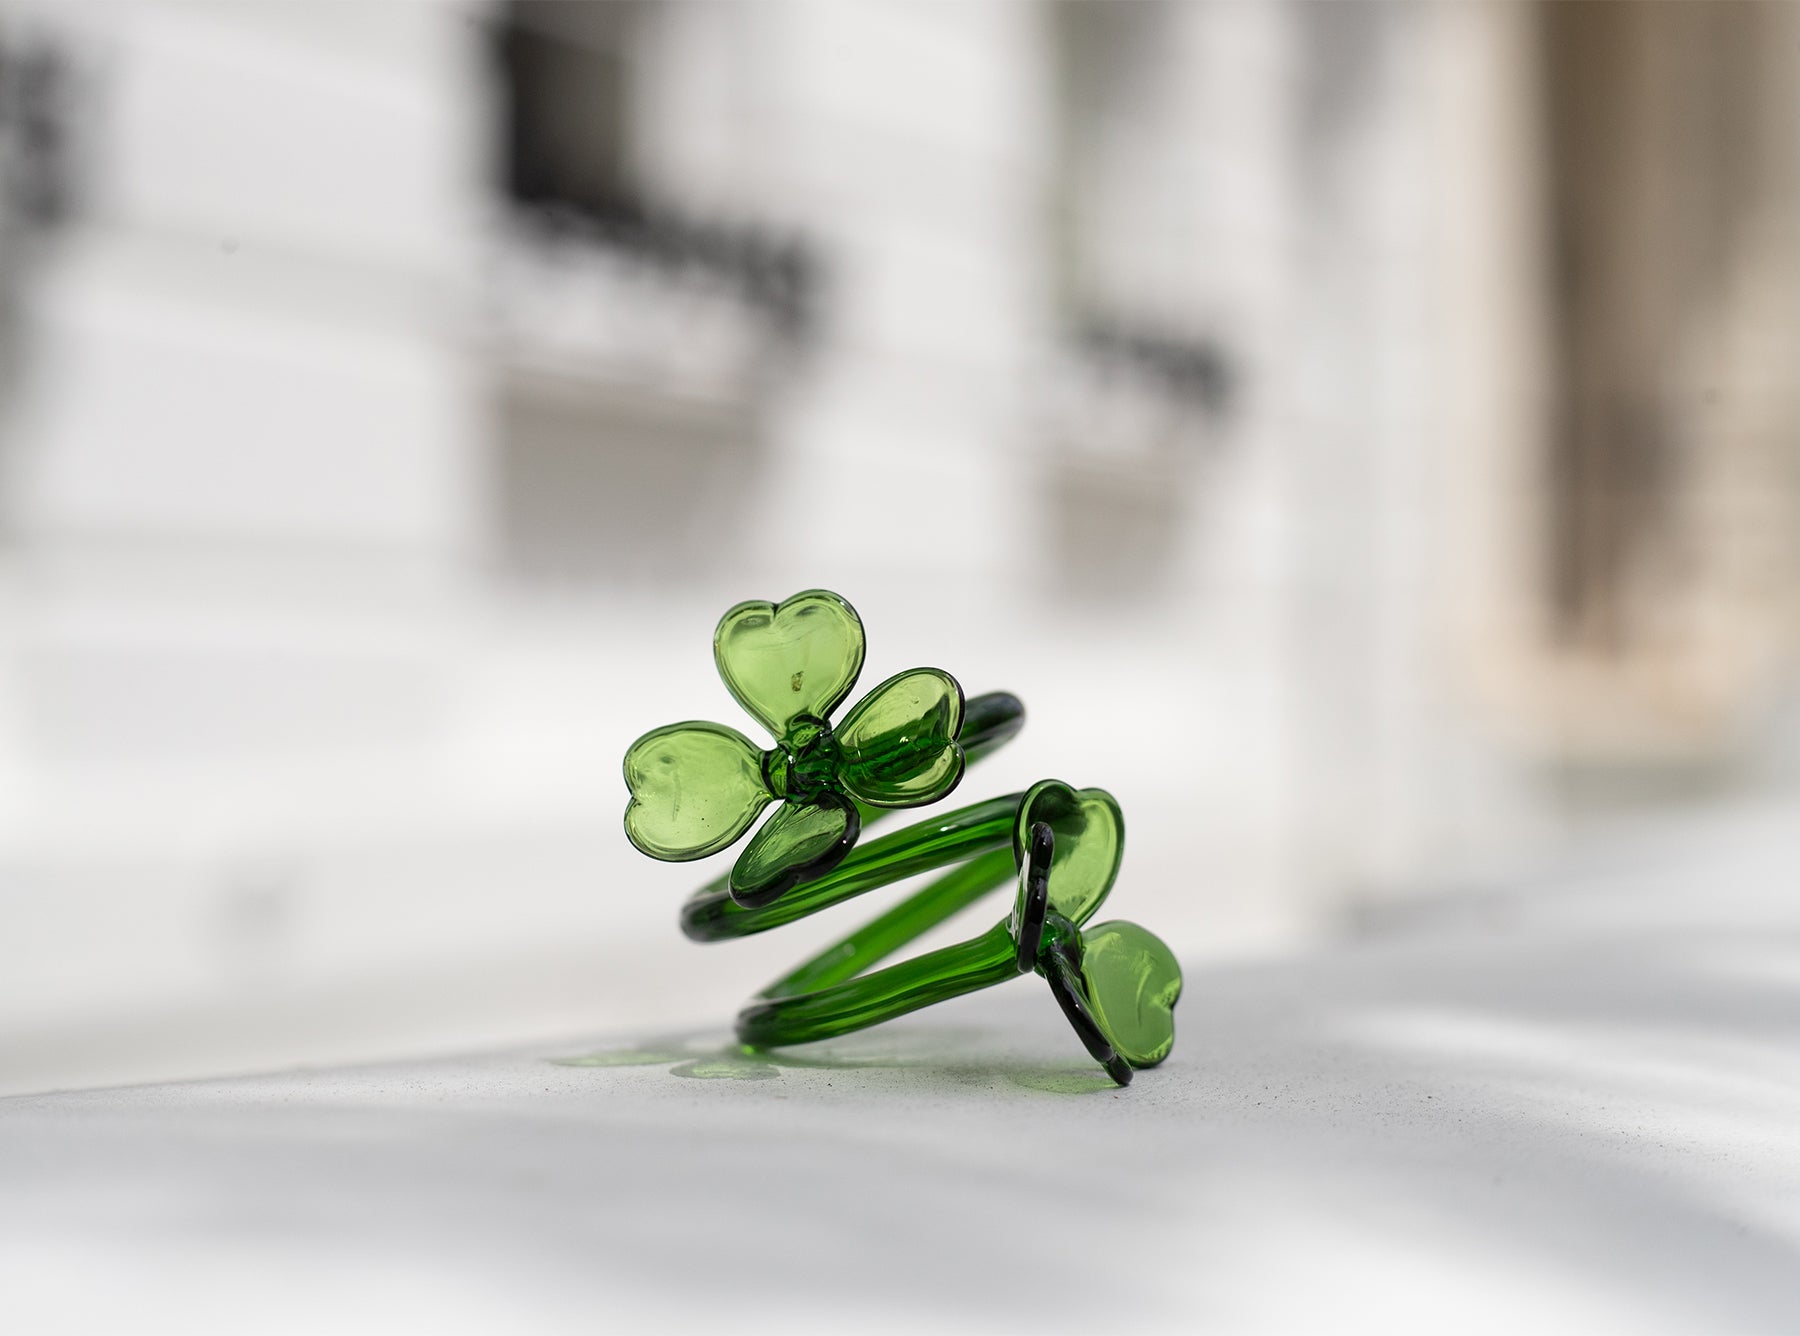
[{"x": 697, "y": 788}]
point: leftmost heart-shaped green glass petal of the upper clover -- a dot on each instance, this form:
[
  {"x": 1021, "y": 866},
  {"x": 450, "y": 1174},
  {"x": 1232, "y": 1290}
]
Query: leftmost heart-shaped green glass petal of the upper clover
[{"x": 696, "y": 788}]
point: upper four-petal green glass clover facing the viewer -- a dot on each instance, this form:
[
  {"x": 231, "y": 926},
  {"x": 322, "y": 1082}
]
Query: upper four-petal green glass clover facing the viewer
[{"x": 696, "y": 788}]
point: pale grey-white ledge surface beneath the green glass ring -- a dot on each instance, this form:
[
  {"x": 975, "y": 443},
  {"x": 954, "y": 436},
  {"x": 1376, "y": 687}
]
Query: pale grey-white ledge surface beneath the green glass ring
[{"x": 1565, "y": 1105}]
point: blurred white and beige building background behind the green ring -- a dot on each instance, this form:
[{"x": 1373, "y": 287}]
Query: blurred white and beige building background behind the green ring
[{"x": 1365, "y": 435}]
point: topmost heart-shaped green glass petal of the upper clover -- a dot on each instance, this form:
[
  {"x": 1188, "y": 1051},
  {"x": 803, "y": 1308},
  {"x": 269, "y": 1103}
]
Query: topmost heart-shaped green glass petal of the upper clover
[{"x": 787, "y": 660}]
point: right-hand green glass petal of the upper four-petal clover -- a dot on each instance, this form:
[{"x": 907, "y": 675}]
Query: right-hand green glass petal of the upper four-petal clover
[{"x": 897, "y": 746}]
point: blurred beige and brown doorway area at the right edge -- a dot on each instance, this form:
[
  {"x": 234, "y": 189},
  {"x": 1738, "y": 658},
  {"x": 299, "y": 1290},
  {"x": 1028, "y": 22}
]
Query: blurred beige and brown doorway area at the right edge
[{"x": 1673, "y": 507}]
